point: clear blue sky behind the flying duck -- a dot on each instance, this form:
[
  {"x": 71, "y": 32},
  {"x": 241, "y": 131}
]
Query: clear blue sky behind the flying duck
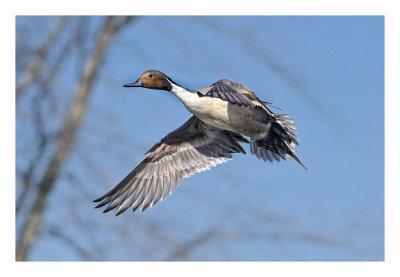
[{"x": 326, "y": 72}]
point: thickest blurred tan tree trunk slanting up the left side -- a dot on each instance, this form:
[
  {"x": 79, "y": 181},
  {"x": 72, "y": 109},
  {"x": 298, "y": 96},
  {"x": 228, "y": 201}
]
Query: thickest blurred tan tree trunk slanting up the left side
[{"x": 70, "y": 127}]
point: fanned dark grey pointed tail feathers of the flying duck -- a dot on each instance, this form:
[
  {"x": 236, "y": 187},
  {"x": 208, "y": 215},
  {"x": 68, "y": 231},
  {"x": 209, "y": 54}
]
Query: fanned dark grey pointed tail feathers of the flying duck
[{"x": 280, "y": 141}]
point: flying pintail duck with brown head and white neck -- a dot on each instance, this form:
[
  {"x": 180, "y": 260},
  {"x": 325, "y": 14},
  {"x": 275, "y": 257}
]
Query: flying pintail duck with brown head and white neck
[{"x": 223, "y": 113}]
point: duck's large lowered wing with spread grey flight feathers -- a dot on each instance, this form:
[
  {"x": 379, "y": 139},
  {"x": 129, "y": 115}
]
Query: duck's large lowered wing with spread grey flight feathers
[{"x": 193, "y": 147}]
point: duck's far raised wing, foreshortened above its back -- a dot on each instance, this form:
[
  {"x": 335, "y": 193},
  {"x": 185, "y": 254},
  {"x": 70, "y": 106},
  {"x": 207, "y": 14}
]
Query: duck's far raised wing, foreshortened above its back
[{"x": 233, "y": 92}]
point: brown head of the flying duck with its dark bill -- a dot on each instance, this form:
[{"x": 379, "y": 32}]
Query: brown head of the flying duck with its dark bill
[{"x": 152, "y": 79}]
